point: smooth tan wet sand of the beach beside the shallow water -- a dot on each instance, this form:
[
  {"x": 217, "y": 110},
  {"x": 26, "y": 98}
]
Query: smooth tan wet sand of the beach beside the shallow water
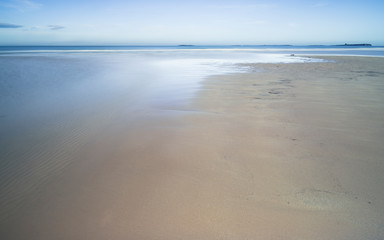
[{"x": 284, "y": 151}]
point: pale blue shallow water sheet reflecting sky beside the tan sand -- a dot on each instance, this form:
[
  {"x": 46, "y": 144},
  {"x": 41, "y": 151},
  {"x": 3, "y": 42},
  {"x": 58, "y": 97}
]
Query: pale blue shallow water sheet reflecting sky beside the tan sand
[{"x": 66, "y": 78}]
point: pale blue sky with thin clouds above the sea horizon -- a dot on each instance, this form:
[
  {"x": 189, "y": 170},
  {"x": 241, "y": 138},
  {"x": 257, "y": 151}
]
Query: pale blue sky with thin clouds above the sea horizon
[{"x": 169, "y": 22}]
